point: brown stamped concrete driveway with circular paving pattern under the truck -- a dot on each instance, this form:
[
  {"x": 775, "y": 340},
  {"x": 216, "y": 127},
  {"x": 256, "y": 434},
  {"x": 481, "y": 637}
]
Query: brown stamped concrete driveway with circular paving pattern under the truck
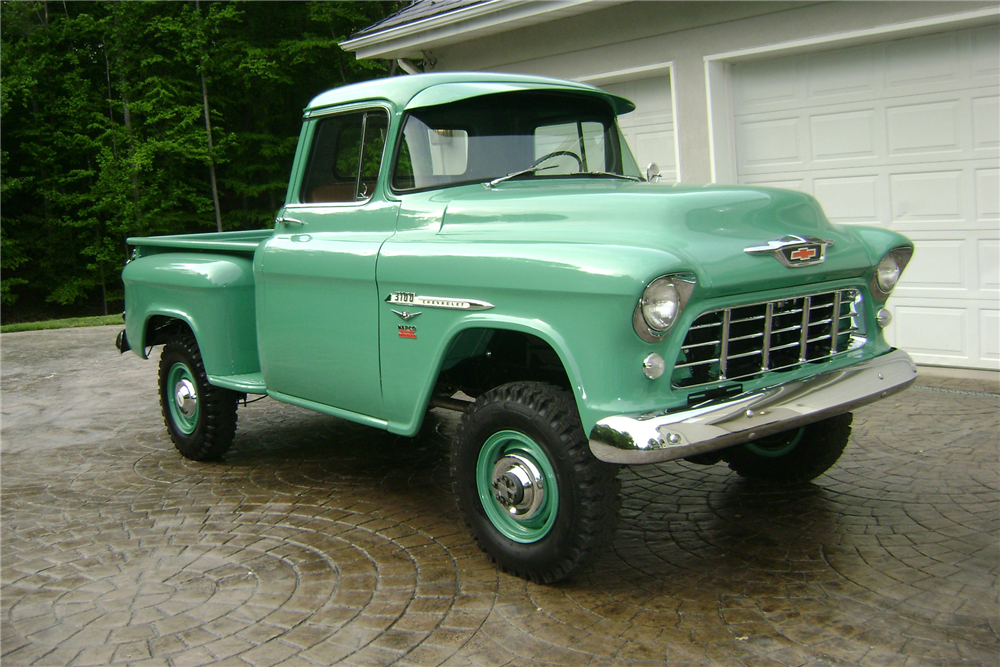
[{"x": 318, "y": 542}]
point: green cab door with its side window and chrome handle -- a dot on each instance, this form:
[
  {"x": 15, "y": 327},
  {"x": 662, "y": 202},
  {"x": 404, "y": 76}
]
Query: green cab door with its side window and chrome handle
[{"x": 317, "y": 300}]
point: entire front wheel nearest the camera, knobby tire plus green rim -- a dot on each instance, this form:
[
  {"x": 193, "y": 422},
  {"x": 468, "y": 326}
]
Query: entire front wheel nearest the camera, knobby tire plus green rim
[{"x": 537, "y": 500}]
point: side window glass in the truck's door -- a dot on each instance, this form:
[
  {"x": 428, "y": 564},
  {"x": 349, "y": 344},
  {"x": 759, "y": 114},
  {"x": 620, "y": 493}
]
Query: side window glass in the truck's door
[{"x": 345, "y": 158}]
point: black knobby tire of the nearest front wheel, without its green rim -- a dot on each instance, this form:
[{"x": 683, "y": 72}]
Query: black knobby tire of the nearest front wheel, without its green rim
[{"x": 588, "y": 488}]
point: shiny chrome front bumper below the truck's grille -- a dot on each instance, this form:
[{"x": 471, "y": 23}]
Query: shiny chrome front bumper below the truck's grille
[{"x": 655, "y": 437}]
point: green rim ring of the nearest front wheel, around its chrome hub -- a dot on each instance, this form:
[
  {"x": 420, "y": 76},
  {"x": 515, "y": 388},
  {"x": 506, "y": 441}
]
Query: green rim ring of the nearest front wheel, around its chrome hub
[{"x": 537, "y": 526}]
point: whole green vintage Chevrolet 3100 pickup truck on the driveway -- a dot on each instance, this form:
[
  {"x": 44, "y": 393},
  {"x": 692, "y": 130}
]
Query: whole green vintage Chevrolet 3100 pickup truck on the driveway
[{"x": 487, "y": 243}]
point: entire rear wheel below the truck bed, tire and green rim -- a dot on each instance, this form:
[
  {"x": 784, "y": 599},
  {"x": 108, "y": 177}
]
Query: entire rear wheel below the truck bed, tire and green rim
[{"x": 200, "y": 417}]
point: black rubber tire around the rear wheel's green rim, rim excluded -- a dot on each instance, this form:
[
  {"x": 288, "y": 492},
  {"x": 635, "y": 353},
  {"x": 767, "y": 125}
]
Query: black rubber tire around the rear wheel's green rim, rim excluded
[{"x": 216, "y": 427}]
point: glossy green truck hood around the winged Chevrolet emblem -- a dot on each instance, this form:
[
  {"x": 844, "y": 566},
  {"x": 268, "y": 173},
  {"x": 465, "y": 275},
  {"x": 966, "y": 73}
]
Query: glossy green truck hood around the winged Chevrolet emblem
[{"x": 704, "y": 229}]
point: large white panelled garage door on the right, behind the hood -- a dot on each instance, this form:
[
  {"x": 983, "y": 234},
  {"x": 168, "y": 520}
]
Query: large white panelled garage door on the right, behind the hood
[{"x": 903, "y": 134}]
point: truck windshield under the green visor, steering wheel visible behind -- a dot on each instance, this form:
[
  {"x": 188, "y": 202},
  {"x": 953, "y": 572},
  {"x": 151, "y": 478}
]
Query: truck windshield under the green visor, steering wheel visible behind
[{"x": 526, "y": 134}]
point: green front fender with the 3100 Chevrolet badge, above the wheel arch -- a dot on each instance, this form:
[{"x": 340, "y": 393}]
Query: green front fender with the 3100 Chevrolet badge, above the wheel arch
[{"x": 579, "y": 299}]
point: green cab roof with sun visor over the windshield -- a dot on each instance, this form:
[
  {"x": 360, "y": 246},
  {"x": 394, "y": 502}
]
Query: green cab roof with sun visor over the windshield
[{"x": 422, "y": 90}]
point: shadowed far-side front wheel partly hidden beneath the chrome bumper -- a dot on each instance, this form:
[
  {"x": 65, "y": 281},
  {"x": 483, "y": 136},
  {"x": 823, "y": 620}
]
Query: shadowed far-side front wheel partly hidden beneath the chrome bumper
[{"x": 795, "y": 456}]
